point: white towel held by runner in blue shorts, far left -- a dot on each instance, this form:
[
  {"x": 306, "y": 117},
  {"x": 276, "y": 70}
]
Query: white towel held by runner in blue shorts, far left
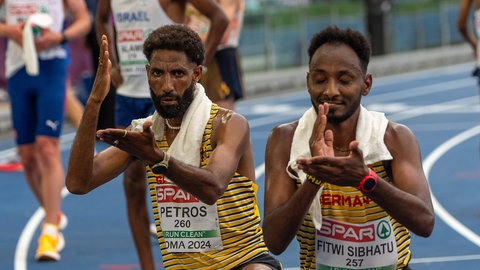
[{"x": 41, "y": 20}]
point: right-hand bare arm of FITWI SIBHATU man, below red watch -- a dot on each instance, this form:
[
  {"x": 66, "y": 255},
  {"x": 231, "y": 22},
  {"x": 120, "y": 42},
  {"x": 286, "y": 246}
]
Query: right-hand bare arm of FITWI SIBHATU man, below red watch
[{"x": 408, "y": 199}]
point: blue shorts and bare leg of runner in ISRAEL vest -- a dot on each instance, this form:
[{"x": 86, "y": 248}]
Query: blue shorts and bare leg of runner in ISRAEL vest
[{"x": 135, "y": 181}]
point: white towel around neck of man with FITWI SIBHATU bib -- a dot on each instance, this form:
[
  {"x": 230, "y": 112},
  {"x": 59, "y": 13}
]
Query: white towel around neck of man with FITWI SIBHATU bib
[{"x": 371, "y": 128}]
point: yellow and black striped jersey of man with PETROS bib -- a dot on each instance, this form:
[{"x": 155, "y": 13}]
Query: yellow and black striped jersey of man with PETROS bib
[{"x": 238, "y": 214}]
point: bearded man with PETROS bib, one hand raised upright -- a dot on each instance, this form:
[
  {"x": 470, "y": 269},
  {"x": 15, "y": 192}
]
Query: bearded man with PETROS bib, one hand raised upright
[{"x": 198, "y": 158}]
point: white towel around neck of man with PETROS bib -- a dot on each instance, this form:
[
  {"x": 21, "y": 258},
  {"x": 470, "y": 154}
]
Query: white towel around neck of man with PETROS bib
[{"x": 187, "y": 143}]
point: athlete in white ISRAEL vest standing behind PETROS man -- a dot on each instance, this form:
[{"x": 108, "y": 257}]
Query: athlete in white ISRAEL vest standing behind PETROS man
[{"x": 128, "y": 23}]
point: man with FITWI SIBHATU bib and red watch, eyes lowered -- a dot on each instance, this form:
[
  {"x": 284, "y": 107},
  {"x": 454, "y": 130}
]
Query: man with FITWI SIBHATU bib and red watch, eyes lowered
[{"x": 346, "y": 181}]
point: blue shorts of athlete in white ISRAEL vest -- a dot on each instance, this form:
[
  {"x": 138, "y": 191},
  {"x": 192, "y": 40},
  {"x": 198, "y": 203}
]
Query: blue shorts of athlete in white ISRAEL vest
[{"x": 129, "y": 108}]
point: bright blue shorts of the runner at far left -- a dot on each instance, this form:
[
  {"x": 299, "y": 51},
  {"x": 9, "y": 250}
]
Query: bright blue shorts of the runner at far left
[{"x": 38, "y": 102}]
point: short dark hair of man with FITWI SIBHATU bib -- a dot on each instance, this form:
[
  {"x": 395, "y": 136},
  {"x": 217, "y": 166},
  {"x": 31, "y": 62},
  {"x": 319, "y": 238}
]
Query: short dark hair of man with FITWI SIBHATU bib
[{"x": 349, "y": 37}]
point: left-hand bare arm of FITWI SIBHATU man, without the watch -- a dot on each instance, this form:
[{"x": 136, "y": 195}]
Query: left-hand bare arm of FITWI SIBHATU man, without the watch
[{"x": 285, "y": 206}]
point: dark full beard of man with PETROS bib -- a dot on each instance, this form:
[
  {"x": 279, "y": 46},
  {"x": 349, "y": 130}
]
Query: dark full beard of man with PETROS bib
[{"x": 174, "y": 111}]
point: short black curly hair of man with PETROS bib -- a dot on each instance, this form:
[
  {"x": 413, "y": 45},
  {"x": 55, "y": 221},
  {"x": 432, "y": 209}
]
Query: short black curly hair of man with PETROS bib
[{"x": 177, "y": 37}]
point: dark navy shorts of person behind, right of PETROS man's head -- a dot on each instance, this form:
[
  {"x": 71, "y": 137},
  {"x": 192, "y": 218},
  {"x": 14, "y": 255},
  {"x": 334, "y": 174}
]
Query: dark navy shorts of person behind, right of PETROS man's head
[{"x": 228, "y": 62}]
